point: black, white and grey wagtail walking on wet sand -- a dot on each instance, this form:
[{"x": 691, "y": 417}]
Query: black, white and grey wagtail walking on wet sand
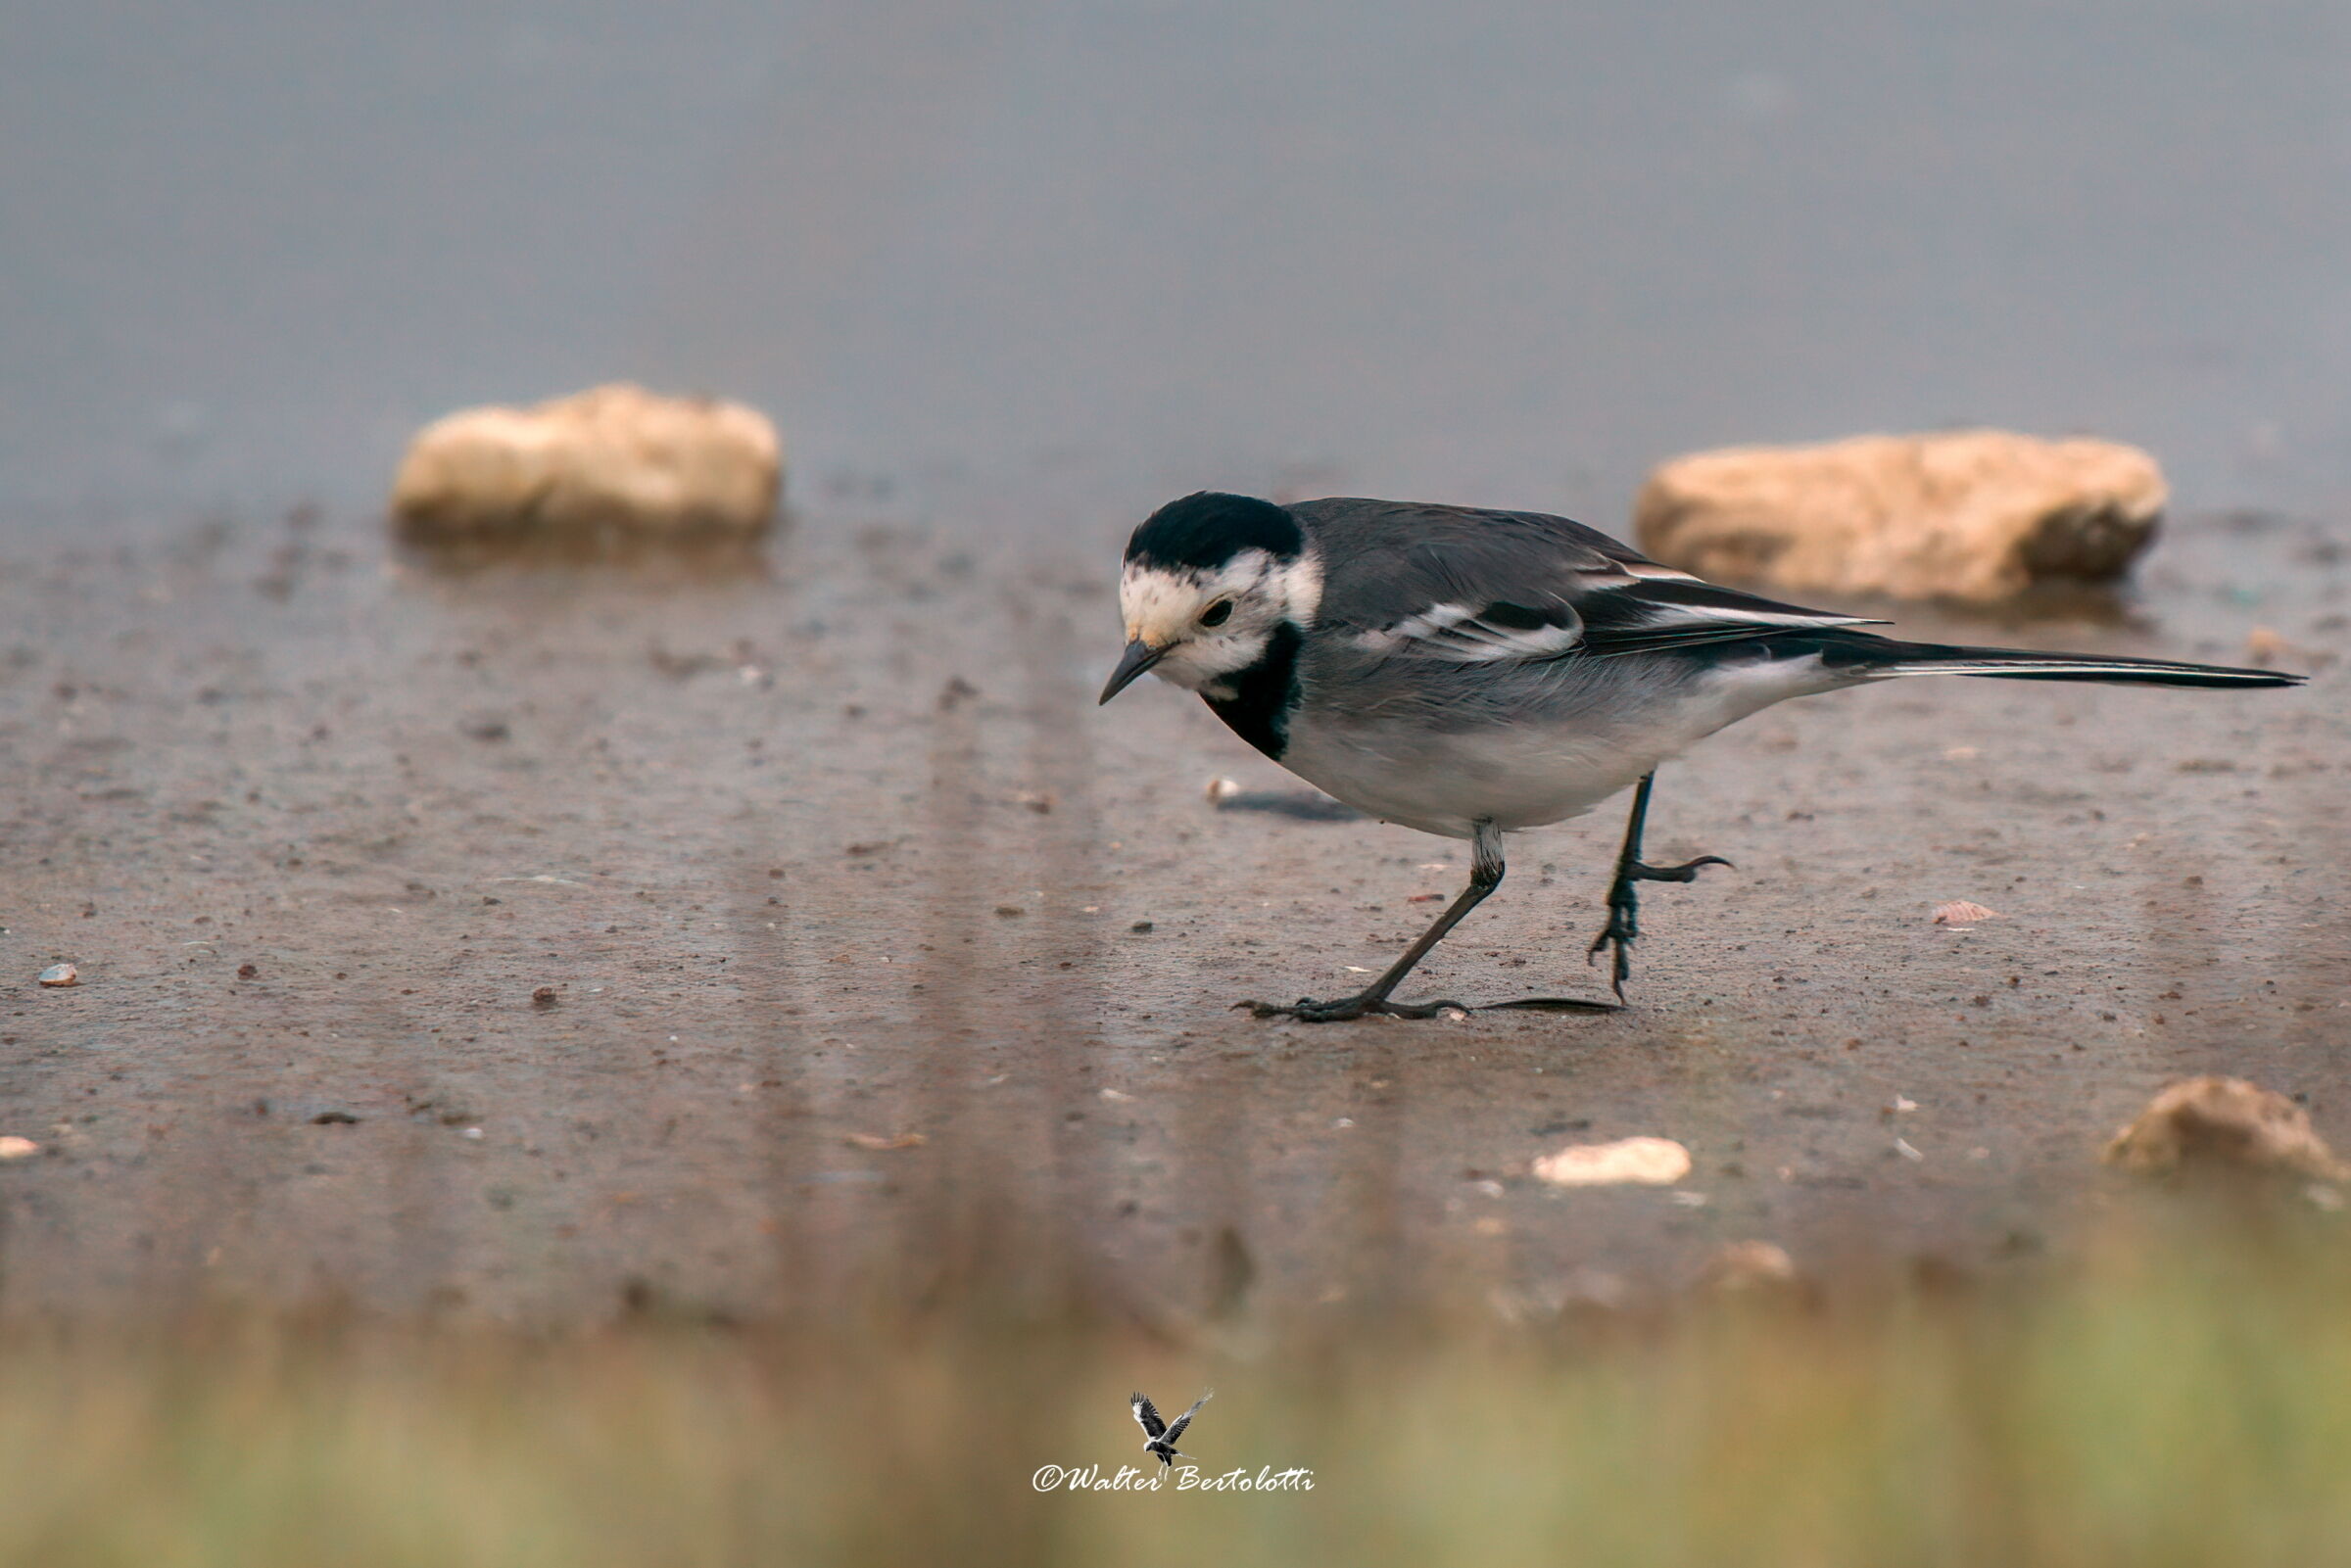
[{"x": 1475, "y": 674}]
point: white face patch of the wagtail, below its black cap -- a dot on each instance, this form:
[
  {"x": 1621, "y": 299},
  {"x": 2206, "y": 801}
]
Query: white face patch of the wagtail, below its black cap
[{"x": 1163, "y": 608}]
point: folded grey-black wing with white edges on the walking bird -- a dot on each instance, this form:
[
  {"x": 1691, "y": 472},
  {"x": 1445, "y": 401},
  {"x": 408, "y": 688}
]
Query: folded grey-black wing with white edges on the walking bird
[{"x": 1475, "y": 587}]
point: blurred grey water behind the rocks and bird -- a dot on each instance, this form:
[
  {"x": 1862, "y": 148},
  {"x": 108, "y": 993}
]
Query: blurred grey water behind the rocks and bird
[{"x": 1047, "y": 260}]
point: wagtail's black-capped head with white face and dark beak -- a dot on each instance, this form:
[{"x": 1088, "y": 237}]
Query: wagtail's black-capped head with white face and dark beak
[{"x": 1207, "y": 584}]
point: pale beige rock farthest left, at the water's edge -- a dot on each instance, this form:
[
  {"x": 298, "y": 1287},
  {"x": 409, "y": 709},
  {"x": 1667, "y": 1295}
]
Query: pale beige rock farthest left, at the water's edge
[{"x": 612, "y": 462}]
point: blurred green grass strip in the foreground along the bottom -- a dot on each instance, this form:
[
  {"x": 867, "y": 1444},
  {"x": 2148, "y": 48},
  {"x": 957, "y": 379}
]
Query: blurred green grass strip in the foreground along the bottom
[{"x": 2169, "y": 1395}]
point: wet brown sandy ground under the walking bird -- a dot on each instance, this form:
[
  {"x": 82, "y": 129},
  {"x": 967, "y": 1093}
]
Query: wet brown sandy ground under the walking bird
[{"x": 840, "y": 847}]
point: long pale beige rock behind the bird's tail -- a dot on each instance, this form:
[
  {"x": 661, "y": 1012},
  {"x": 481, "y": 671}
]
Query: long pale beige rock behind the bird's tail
[{"x": 1960, "y": 516}]
